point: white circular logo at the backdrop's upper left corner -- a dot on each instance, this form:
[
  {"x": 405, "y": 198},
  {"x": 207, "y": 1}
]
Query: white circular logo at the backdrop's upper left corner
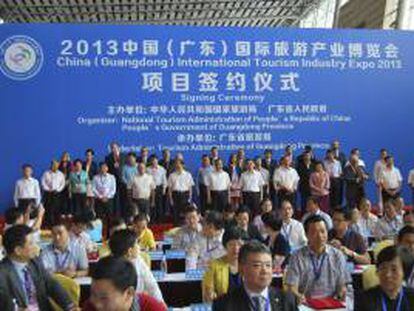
[{"x": 21, "y": 57}]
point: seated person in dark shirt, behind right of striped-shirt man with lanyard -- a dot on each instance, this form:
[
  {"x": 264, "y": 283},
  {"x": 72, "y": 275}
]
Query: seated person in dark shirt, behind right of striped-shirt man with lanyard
[{"x": 349, "y": 242}]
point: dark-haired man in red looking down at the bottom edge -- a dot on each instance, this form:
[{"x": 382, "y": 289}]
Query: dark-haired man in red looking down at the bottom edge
[{"x": 114, "y": 281}]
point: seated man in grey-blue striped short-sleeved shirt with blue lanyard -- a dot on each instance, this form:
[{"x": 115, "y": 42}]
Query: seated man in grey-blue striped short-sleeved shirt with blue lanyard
[{"x": 317, "y": 270}]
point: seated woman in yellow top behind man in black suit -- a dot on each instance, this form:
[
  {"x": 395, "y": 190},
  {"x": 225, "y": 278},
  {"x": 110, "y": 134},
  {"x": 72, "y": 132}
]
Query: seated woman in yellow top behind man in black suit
[{"x": 222, "y": 274}]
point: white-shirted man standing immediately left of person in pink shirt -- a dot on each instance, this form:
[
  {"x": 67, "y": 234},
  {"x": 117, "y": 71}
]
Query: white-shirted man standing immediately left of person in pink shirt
[{"x": 285, "y": 181}]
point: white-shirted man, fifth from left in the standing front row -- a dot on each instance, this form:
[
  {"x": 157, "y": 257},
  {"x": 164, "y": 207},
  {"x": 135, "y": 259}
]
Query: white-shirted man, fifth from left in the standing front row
[{"x": 143, "y": 189}]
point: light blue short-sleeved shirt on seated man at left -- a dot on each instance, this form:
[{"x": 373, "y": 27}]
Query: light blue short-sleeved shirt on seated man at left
[{"x": 73, "y": 257}]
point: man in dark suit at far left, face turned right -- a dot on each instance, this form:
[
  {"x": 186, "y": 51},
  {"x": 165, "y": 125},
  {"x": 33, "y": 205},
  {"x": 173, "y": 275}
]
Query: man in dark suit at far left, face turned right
[{"x": 24, "y": 282}]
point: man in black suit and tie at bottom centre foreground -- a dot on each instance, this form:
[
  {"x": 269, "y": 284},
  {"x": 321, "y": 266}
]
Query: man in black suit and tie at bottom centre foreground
[{"x": 255, "y": 293}]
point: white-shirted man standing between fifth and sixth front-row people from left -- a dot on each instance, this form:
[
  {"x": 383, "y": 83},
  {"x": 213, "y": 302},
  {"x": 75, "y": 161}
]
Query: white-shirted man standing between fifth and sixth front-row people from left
[{"x": 159, "y": 174}]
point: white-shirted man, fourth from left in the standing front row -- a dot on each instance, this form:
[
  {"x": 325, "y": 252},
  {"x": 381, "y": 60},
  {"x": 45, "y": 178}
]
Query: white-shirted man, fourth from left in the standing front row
[{"x": 104, "y": 189}]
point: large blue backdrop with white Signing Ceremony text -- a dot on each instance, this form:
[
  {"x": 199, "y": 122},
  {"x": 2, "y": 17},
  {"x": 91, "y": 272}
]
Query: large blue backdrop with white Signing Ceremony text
[{"x": 71, "y": 87}]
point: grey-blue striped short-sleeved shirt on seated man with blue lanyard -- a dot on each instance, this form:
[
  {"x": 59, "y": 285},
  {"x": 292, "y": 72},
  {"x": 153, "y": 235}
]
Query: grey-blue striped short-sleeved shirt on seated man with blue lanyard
[{"x": 304, "y": 267}]
